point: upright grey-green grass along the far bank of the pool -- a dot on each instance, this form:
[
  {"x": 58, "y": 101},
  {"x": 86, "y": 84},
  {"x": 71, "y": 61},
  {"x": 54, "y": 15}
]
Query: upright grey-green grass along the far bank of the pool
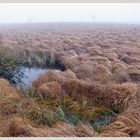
[{"x": 40, "y": 58}]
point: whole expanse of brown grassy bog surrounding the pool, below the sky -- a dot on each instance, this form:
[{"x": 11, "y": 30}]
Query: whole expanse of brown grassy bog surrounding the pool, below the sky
[{"x": 99, "y": 78}]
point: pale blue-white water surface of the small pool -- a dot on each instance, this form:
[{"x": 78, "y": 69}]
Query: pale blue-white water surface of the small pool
[{"x": 31, "y": 74}]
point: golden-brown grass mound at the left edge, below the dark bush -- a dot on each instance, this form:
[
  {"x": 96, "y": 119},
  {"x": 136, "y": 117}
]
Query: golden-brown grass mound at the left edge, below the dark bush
[{"x": 9, "y": 99}]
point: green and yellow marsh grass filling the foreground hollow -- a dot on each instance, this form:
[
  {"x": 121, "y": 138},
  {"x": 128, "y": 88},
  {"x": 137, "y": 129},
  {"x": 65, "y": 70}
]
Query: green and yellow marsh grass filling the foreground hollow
[{"x": 66, "y": 109}]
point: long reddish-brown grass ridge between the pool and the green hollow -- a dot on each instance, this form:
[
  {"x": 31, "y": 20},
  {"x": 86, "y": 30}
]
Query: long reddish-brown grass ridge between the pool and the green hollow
[{"x": 112, "y": 96}]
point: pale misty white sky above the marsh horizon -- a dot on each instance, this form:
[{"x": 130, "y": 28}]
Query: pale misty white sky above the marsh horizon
[{"x": 73, "y": 12}]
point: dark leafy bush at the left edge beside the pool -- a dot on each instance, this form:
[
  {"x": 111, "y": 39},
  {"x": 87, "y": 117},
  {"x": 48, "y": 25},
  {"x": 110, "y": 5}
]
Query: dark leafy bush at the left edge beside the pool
[{"x": 10, "y": 67}]
